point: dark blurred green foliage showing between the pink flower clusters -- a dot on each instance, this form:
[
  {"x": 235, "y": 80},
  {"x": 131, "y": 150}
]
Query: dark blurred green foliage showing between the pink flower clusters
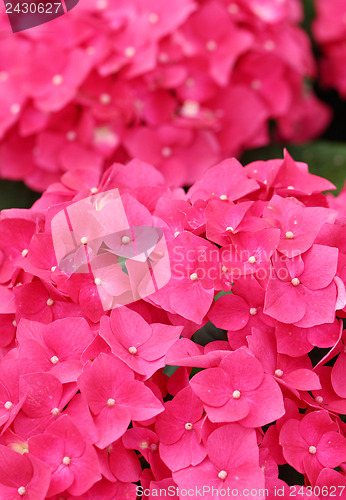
[{"x": 326, "y": 157}]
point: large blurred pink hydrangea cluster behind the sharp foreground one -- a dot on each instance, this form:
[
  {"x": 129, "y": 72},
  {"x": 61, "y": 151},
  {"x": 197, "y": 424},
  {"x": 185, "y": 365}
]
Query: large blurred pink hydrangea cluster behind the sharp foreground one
[{"x": 174, "y": 84}]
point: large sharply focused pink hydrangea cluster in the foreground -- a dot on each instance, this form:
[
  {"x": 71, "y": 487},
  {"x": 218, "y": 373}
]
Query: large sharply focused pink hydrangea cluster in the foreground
[{"x": 87, "y": 408}]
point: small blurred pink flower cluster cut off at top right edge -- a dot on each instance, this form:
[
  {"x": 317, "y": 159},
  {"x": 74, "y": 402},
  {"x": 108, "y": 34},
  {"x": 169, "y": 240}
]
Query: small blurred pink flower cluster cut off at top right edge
[{"x": 329, "y": 30}]
